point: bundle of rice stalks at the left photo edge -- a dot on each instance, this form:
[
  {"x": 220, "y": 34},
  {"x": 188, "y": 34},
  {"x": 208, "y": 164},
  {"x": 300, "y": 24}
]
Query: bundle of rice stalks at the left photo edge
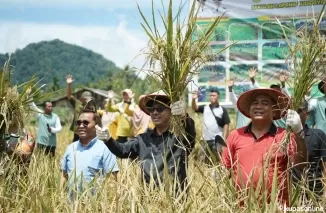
[{"x": 14, "y": 101}]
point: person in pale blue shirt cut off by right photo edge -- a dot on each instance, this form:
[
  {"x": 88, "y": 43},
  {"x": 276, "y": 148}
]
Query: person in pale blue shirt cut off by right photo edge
[{"x": 318, "y": 107}]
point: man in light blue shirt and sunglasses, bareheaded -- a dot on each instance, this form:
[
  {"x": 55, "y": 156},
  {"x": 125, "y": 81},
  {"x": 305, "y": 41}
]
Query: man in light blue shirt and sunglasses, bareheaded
[{"x": 87, "y": 158}]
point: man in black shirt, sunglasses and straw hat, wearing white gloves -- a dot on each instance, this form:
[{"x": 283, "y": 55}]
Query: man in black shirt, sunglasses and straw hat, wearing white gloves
[{"x": 158, "y": 148}]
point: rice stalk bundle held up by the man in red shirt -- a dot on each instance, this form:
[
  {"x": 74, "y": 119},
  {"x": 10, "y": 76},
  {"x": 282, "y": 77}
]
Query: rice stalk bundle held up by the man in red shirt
[{"x": 306, "y": 60}]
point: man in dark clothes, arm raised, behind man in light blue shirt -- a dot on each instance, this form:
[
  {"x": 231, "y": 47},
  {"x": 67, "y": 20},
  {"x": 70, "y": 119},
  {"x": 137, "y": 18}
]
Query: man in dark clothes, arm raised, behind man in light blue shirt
[{"x": 84, "y": 103}]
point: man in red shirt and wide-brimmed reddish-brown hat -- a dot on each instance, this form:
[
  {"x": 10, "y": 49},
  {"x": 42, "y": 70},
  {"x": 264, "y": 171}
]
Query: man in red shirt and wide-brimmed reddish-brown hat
[{"x": 254, "y": 151}]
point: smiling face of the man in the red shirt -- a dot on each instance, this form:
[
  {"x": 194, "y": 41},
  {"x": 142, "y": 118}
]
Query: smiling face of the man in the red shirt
[{"x": 261, "y": 107}]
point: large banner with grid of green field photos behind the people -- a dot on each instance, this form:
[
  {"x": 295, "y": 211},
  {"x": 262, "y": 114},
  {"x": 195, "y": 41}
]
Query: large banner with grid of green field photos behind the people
[{"x": 253, "y": 27}]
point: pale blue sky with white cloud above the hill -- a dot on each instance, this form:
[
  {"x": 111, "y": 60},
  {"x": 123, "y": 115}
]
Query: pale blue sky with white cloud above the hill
[{"x": 108, "y": 27}]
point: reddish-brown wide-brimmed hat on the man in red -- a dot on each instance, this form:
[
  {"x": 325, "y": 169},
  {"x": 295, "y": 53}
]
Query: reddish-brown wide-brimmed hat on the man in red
[{"x": 280, "y": 98}]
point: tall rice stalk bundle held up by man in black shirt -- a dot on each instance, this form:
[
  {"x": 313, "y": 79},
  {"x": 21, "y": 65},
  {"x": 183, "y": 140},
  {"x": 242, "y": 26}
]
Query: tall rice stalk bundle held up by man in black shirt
[{"x": 174, "y": 57}]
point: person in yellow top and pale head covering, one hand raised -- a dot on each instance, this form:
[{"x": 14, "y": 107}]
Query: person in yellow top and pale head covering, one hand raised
[{"x": 125, "y": 109}]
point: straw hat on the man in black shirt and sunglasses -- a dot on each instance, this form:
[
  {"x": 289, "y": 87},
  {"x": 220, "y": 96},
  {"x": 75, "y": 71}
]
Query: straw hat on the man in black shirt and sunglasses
[{"x": 159, "y": 97}]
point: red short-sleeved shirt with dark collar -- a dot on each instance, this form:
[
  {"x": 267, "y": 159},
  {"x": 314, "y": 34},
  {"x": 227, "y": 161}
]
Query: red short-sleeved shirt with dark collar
[{"x": 250, "y": 158}]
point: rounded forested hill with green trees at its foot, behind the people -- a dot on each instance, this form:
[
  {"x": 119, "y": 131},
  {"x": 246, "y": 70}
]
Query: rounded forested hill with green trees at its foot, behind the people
[{"x": 53, "y": 60}]
